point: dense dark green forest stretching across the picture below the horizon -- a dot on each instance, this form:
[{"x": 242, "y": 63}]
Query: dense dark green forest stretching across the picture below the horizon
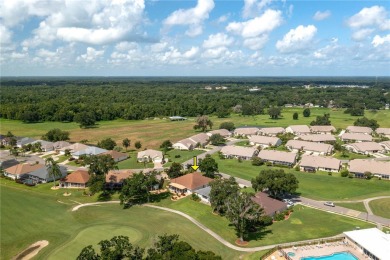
[{"x": 107, "y": 99}]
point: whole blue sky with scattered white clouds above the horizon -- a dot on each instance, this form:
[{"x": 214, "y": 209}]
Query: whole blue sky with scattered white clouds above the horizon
[{"x": 194, "y": 38}]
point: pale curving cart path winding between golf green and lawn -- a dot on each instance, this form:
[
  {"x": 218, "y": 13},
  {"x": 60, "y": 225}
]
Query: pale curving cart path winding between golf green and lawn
[{"x": 210, "y": 232}]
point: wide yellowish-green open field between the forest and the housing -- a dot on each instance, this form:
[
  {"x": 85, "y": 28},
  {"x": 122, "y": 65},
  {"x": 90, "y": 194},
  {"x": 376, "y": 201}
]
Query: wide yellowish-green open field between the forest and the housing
[{"x": 152, "y": 133}]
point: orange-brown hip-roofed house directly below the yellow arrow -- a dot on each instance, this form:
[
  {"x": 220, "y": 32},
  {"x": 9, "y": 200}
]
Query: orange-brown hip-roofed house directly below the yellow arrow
[{"x": 189, "y": 183}]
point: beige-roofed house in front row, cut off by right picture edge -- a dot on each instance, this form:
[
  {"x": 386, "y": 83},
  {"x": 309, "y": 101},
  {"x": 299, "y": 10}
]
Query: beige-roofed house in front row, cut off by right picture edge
[{"x": 378, "y": 168}]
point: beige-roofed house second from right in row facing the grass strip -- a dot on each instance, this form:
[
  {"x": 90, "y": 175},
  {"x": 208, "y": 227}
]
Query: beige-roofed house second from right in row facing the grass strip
[{"x": 310, "y": 163}]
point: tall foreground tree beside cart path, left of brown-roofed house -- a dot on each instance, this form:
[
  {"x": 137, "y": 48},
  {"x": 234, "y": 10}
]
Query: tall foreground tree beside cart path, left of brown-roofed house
[{"x": 243, "y": 213}]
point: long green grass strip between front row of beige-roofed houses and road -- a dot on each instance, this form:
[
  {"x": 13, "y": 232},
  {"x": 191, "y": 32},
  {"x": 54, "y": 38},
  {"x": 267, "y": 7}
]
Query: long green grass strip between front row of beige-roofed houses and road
[{"x": 313, "y": 185}]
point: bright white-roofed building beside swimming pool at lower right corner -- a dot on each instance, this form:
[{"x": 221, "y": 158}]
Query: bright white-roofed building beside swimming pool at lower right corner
[{"x": 372, "y": 241}]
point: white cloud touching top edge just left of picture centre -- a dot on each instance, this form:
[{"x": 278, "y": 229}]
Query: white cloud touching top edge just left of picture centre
[{"x": 193, "y": 17}]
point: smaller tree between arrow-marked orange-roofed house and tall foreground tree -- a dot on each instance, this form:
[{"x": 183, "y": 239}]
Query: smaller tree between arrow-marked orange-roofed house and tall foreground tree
[{"x": 220, "y": 190}]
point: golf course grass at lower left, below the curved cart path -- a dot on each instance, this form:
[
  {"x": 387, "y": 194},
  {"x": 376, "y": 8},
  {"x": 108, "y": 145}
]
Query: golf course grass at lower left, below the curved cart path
[{"x": 28, "y": 216}]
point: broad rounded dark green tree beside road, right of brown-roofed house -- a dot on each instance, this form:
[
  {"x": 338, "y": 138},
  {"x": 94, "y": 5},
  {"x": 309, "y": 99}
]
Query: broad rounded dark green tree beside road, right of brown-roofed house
[{"x": 276, "y": 182}]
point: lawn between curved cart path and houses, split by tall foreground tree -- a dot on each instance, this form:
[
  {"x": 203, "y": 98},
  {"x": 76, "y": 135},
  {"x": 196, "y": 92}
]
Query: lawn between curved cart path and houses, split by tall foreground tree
[{"x": 305, "y": 223}]
